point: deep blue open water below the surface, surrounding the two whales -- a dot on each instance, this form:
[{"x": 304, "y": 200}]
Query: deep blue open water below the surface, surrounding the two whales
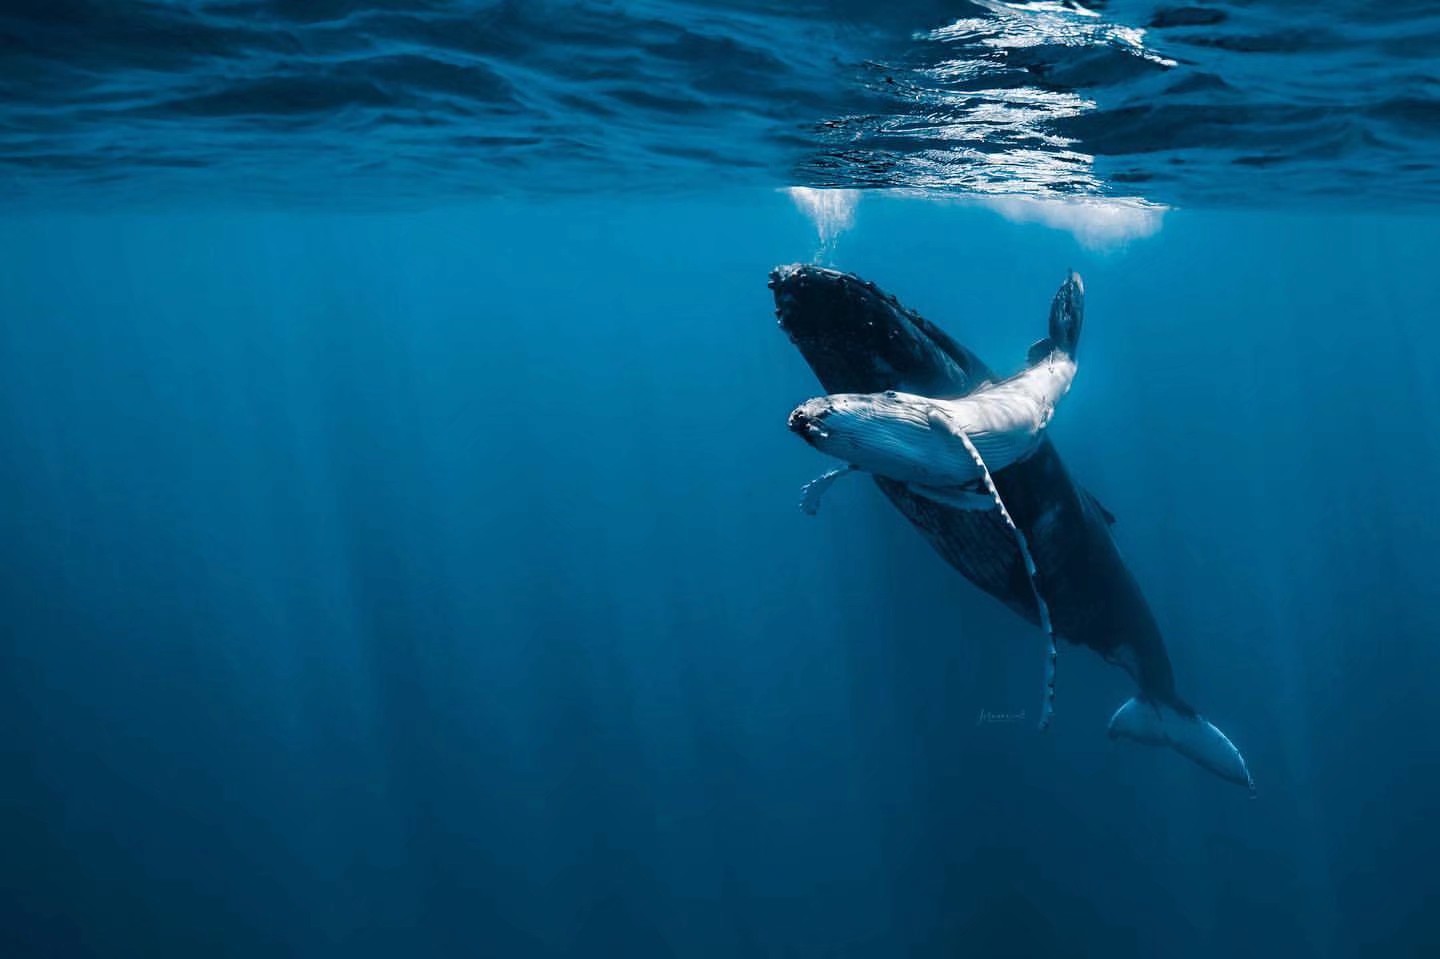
[{"x": 434, "y": 585}]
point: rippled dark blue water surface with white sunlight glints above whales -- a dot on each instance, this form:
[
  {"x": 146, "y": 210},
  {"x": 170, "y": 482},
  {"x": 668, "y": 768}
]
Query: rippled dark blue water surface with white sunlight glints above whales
[{"x": 1265, "y": 102}]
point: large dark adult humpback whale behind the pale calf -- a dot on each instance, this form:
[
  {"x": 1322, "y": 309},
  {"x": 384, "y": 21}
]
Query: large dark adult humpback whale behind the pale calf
[{"x": 859, "y": 339}]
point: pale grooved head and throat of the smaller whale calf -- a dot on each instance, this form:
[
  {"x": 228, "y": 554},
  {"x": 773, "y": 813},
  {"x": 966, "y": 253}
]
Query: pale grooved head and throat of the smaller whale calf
[{"x": 888, "y": 434}]
